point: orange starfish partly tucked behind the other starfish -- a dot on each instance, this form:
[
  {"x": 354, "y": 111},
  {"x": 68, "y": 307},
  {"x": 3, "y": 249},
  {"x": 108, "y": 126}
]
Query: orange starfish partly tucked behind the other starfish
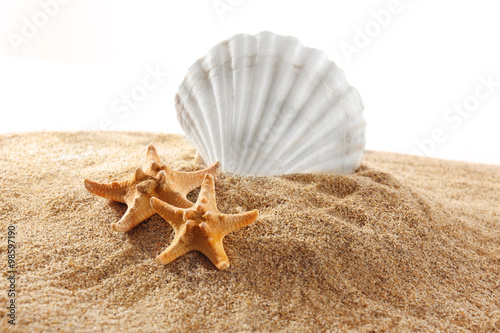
[{"x": 154, "y": 179}]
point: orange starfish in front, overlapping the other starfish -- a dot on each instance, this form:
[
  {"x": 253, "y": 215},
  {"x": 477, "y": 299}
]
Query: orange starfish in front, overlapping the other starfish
[{"x": 202, "y": 227}]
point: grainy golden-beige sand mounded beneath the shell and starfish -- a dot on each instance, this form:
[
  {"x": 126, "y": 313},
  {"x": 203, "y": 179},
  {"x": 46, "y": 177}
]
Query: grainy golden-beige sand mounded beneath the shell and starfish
[{"x": 404, "y": 244}]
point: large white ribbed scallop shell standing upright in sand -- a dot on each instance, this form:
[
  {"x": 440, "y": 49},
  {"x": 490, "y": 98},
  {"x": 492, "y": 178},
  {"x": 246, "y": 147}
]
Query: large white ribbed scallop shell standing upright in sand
[{"x": 267, "y": 105}]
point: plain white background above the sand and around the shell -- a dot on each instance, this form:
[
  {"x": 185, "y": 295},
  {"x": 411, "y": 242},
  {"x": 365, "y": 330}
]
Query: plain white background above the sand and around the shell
[{"x": 68, "y": 66}]
